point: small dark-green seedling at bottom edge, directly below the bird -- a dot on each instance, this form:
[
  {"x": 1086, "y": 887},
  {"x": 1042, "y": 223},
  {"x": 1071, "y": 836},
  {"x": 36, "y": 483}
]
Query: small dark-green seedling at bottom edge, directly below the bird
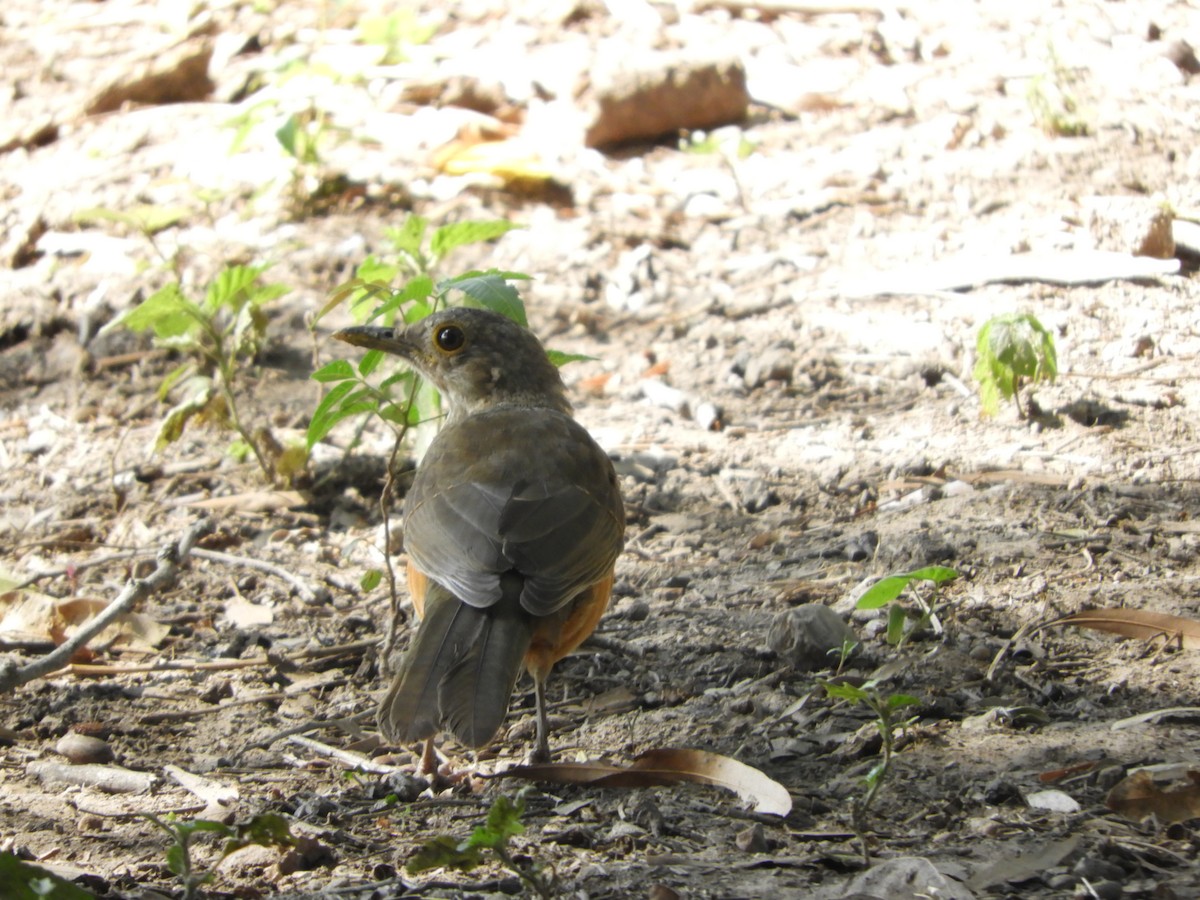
[{"x": 494, "y": 838}]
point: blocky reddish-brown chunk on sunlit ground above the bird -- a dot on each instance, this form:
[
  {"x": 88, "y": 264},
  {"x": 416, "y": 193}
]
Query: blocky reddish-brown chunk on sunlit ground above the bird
[{"x": 668, "y": 93}]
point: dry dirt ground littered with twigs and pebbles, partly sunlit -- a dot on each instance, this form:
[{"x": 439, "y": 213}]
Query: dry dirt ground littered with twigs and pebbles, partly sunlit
[{"x": 783, "y": 375}]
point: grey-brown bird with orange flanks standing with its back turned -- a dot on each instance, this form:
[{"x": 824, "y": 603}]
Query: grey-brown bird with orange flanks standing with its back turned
[{"x": 513, "y": 527}]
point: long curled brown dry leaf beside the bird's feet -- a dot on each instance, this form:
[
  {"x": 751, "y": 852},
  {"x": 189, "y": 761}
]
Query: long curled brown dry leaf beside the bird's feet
[{"x": 669, "y": 766}]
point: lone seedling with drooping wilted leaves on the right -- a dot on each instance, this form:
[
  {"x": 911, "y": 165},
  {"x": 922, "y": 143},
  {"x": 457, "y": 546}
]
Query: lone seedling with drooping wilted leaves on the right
[{"x": 1012, "y": 350}]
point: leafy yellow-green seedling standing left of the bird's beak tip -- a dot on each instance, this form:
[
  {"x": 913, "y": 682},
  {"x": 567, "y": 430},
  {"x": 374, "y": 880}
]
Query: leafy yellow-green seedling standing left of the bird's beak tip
[{"x": 219, "y": 338}]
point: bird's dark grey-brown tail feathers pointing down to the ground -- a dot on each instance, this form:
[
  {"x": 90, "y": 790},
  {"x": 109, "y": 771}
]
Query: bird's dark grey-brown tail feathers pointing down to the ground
[{"x": 460, "y": 671}]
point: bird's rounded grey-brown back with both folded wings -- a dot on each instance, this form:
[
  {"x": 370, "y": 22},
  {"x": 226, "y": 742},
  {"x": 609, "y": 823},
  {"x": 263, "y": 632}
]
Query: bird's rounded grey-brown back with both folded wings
[{"x": 547, "y": 505}]
